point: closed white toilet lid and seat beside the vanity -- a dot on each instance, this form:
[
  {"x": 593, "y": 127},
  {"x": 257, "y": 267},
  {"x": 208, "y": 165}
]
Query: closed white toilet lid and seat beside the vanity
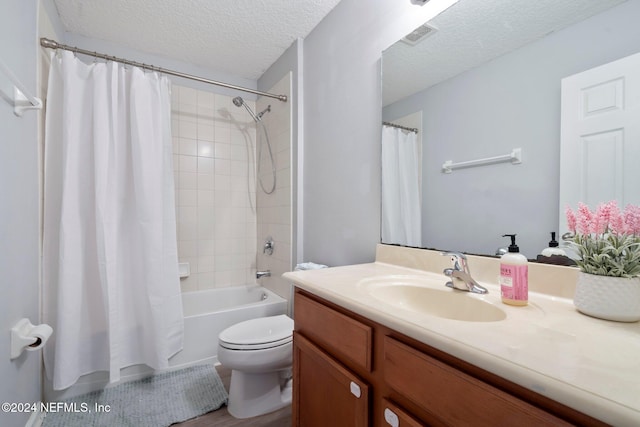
[{"x": 254, "y": 334}]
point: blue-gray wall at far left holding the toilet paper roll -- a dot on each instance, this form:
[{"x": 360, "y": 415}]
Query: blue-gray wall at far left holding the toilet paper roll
[{"x": 19, "y": 208}]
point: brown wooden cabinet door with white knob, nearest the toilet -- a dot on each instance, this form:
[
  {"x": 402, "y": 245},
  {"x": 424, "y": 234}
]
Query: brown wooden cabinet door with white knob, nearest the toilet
[{"x": 324, "y": 392}]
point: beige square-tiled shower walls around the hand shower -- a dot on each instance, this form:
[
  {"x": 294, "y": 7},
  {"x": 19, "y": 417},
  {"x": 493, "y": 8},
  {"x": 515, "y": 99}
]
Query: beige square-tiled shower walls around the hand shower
[{"x": 222, "y": 220}]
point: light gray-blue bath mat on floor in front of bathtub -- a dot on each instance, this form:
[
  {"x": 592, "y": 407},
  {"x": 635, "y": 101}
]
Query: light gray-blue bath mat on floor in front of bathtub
[{"x": 157, "y": 401}]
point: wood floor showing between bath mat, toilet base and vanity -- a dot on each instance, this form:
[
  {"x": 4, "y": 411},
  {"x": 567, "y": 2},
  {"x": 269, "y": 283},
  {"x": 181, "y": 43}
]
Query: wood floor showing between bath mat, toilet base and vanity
[{"x": 222, "y": 418}]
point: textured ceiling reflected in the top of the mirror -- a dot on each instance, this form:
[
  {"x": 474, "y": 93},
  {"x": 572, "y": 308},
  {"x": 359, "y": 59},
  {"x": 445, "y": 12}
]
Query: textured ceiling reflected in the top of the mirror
[{"x": 473, "y": 32}]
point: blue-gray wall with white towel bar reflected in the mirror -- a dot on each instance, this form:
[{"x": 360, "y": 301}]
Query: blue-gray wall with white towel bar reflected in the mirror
[{"x": 512, "y": 101}]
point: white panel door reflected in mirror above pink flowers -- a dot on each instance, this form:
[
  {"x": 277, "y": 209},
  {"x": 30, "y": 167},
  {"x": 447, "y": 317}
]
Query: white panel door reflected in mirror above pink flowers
[{"x": 600, "y": 136}]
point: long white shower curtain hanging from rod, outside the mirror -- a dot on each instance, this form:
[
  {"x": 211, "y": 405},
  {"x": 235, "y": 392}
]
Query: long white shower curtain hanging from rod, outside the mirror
[{"x": 110, "y": 268}]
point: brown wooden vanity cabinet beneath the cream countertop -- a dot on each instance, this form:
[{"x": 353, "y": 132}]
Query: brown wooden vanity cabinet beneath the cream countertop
[{"x": 351, "y": 371}]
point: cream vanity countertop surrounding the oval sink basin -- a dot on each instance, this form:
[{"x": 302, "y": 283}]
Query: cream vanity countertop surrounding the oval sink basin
[{"x": 588, "y": 364}]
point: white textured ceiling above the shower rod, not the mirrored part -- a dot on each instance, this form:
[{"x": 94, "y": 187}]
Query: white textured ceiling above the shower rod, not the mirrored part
[{"x": 238, "y": 37}]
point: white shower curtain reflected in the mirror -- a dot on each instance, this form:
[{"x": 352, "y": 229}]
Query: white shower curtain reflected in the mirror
[{"x": 401, "y": 222}]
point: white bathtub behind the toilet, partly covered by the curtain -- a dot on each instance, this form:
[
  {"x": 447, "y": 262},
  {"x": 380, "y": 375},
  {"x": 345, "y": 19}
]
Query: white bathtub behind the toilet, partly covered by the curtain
[{"x": 206, "y": 314}]
